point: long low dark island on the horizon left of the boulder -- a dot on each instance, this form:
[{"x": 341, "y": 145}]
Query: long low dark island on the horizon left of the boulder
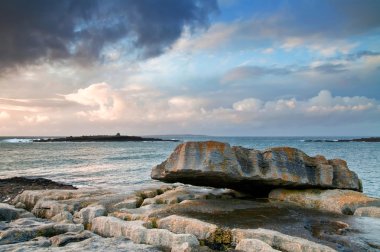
[{"x": 103, "y": 138}]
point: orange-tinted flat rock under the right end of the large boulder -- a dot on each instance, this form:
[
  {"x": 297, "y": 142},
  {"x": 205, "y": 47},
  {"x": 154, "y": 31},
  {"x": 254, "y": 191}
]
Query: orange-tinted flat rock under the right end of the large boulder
[{"x": 338, "y": 201}]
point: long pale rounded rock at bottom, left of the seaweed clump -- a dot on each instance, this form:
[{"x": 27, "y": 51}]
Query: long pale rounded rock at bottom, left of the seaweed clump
[{"x": 138, "y": 233}]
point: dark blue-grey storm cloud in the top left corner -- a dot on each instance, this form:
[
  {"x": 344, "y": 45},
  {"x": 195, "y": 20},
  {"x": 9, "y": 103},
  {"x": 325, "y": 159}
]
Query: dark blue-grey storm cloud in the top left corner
[{"x": 80, "y": 29}]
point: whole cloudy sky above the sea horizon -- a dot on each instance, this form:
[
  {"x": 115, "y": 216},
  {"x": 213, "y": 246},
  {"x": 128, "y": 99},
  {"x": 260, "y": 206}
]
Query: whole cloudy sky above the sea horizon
[{"x": 214, "y": 67}]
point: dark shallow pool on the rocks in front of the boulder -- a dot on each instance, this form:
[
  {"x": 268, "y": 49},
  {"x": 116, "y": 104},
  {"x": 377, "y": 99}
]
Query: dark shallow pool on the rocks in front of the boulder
[{"x": 342, "y": 232}]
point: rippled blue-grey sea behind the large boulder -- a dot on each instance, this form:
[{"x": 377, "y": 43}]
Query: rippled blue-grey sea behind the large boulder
[{"x": 127, "y": 165}]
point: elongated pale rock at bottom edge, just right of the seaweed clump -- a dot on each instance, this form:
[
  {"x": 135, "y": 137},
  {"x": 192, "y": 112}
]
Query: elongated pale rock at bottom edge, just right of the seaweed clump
[{"x": 279, "y": 241}]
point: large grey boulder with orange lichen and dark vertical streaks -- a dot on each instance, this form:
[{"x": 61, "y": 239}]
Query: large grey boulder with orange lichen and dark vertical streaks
[{"x": 220, "y": 165}]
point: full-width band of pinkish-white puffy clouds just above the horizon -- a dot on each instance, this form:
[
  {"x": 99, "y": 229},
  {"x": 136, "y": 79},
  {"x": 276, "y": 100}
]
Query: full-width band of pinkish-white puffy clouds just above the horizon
[{"x": 143, "y": 110}]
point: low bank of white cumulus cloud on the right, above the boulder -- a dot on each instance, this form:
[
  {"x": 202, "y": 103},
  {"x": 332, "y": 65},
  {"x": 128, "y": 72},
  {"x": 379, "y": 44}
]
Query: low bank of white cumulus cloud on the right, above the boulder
[{"x": 323, "y": 109}]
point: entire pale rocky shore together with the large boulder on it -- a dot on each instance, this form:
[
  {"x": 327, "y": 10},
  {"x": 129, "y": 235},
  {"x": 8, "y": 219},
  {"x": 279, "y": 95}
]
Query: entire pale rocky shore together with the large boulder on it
[{"x": 309, "y": 204}]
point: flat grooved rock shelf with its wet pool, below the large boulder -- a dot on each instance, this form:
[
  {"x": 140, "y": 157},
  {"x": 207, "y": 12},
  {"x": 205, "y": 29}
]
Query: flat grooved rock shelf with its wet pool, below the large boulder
[{"x": 176, "y": 218}]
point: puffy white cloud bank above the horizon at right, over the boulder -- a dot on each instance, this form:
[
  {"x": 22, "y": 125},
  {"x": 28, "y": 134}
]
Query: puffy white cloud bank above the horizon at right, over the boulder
[{"x": 324, "y": 105}]
